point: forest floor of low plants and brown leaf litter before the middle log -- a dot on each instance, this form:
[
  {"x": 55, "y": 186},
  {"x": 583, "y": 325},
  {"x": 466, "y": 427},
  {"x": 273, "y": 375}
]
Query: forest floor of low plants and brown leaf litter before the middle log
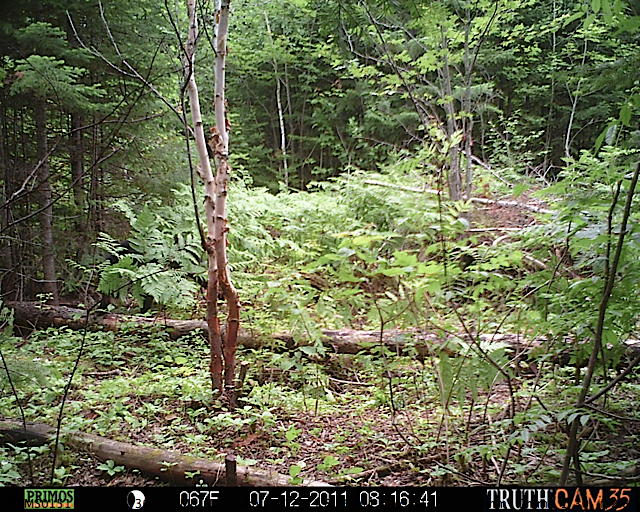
[{"x": 356, "y": 419}]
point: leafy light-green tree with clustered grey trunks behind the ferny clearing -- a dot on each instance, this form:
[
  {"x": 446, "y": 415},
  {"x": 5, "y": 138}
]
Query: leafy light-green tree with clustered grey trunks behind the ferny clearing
[{"x": 425, "y": 57}]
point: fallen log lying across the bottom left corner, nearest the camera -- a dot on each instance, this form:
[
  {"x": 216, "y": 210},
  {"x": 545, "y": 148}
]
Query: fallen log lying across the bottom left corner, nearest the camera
[{"x": 168, "y": 465}]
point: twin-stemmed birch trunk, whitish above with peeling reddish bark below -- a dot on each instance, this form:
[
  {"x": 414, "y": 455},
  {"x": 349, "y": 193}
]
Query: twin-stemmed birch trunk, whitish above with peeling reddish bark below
[{"x": 223, "y": 362}]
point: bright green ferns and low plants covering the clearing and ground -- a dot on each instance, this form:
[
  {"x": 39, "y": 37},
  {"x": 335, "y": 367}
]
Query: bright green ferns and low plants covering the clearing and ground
[{"x": 458, "y": 397}]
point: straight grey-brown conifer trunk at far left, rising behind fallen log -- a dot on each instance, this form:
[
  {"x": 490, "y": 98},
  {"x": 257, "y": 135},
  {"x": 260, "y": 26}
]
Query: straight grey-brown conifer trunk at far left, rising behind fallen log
[{"x": 46, "y": 217}]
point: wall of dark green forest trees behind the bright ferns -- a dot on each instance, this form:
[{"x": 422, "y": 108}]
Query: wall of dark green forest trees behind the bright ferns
[{"x": 338, "y": 86}]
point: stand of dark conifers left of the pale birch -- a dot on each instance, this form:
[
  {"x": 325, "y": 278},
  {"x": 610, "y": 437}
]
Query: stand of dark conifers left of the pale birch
[{"x": 105, "y": 137}]
